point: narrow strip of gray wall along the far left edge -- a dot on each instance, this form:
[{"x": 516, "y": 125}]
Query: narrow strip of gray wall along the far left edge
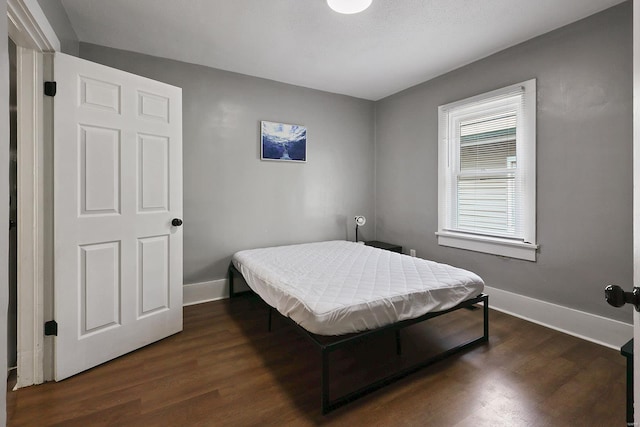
[{"x": 4, "y": 195}]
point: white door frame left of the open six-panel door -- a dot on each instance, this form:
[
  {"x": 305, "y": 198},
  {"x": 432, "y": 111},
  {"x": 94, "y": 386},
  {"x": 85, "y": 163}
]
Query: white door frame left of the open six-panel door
[{"x": 32, "y": 33}]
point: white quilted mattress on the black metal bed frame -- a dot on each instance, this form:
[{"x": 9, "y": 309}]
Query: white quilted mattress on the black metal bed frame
[{"x": 339, "y": 287}]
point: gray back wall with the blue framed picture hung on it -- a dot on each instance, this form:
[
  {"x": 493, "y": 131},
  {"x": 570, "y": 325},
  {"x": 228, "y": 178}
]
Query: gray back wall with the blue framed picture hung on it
[{"x": 232, "y": 199}]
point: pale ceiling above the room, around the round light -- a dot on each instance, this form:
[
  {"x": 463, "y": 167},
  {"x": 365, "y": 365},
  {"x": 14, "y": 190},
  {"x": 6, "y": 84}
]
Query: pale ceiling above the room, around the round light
[{"x": 391, "y": 46}]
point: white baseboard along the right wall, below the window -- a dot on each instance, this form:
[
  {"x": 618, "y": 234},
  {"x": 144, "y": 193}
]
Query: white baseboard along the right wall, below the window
[{"x": 600, "y": 330}]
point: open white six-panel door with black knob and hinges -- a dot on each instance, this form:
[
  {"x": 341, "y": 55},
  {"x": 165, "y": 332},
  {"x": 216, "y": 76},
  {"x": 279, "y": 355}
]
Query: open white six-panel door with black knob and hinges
[{"x": 117, "y": 189}]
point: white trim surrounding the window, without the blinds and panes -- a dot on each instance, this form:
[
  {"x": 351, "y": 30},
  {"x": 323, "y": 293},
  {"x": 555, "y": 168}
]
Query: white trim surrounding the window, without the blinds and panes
[{"x": 526, "y": 248}]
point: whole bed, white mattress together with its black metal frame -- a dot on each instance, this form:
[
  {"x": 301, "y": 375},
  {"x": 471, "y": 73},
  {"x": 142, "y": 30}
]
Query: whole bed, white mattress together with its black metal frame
[{"x": 338, "y": 292}]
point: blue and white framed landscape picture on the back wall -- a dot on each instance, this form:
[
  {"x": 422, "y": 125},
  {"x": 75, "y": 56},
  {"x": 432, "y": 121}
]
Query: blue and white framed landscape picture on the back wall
[{"x": 280, "y": 141}]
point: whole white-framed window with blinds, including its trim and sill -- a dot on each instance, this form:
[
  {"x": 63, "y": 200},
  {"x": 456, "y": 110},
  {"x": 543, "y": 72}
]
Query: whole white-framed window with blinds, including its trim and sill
[{"x": 487, "y": 172}]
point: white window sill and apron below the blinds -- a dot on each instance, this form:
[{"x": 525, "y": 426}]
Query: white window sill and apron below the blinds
[{"x": 489, "y": 245}]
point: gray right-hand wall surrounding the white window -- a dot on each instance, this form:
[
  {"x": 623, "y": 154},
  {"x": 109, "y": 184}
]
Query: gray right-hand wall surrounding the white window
[{"x": 584, "y": 163}]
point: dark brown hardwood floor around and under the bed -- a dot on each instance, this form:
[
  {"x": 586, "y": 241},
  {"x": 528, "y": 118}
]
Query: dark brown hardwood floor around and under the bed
[{"x": 226, "y": 369}]
